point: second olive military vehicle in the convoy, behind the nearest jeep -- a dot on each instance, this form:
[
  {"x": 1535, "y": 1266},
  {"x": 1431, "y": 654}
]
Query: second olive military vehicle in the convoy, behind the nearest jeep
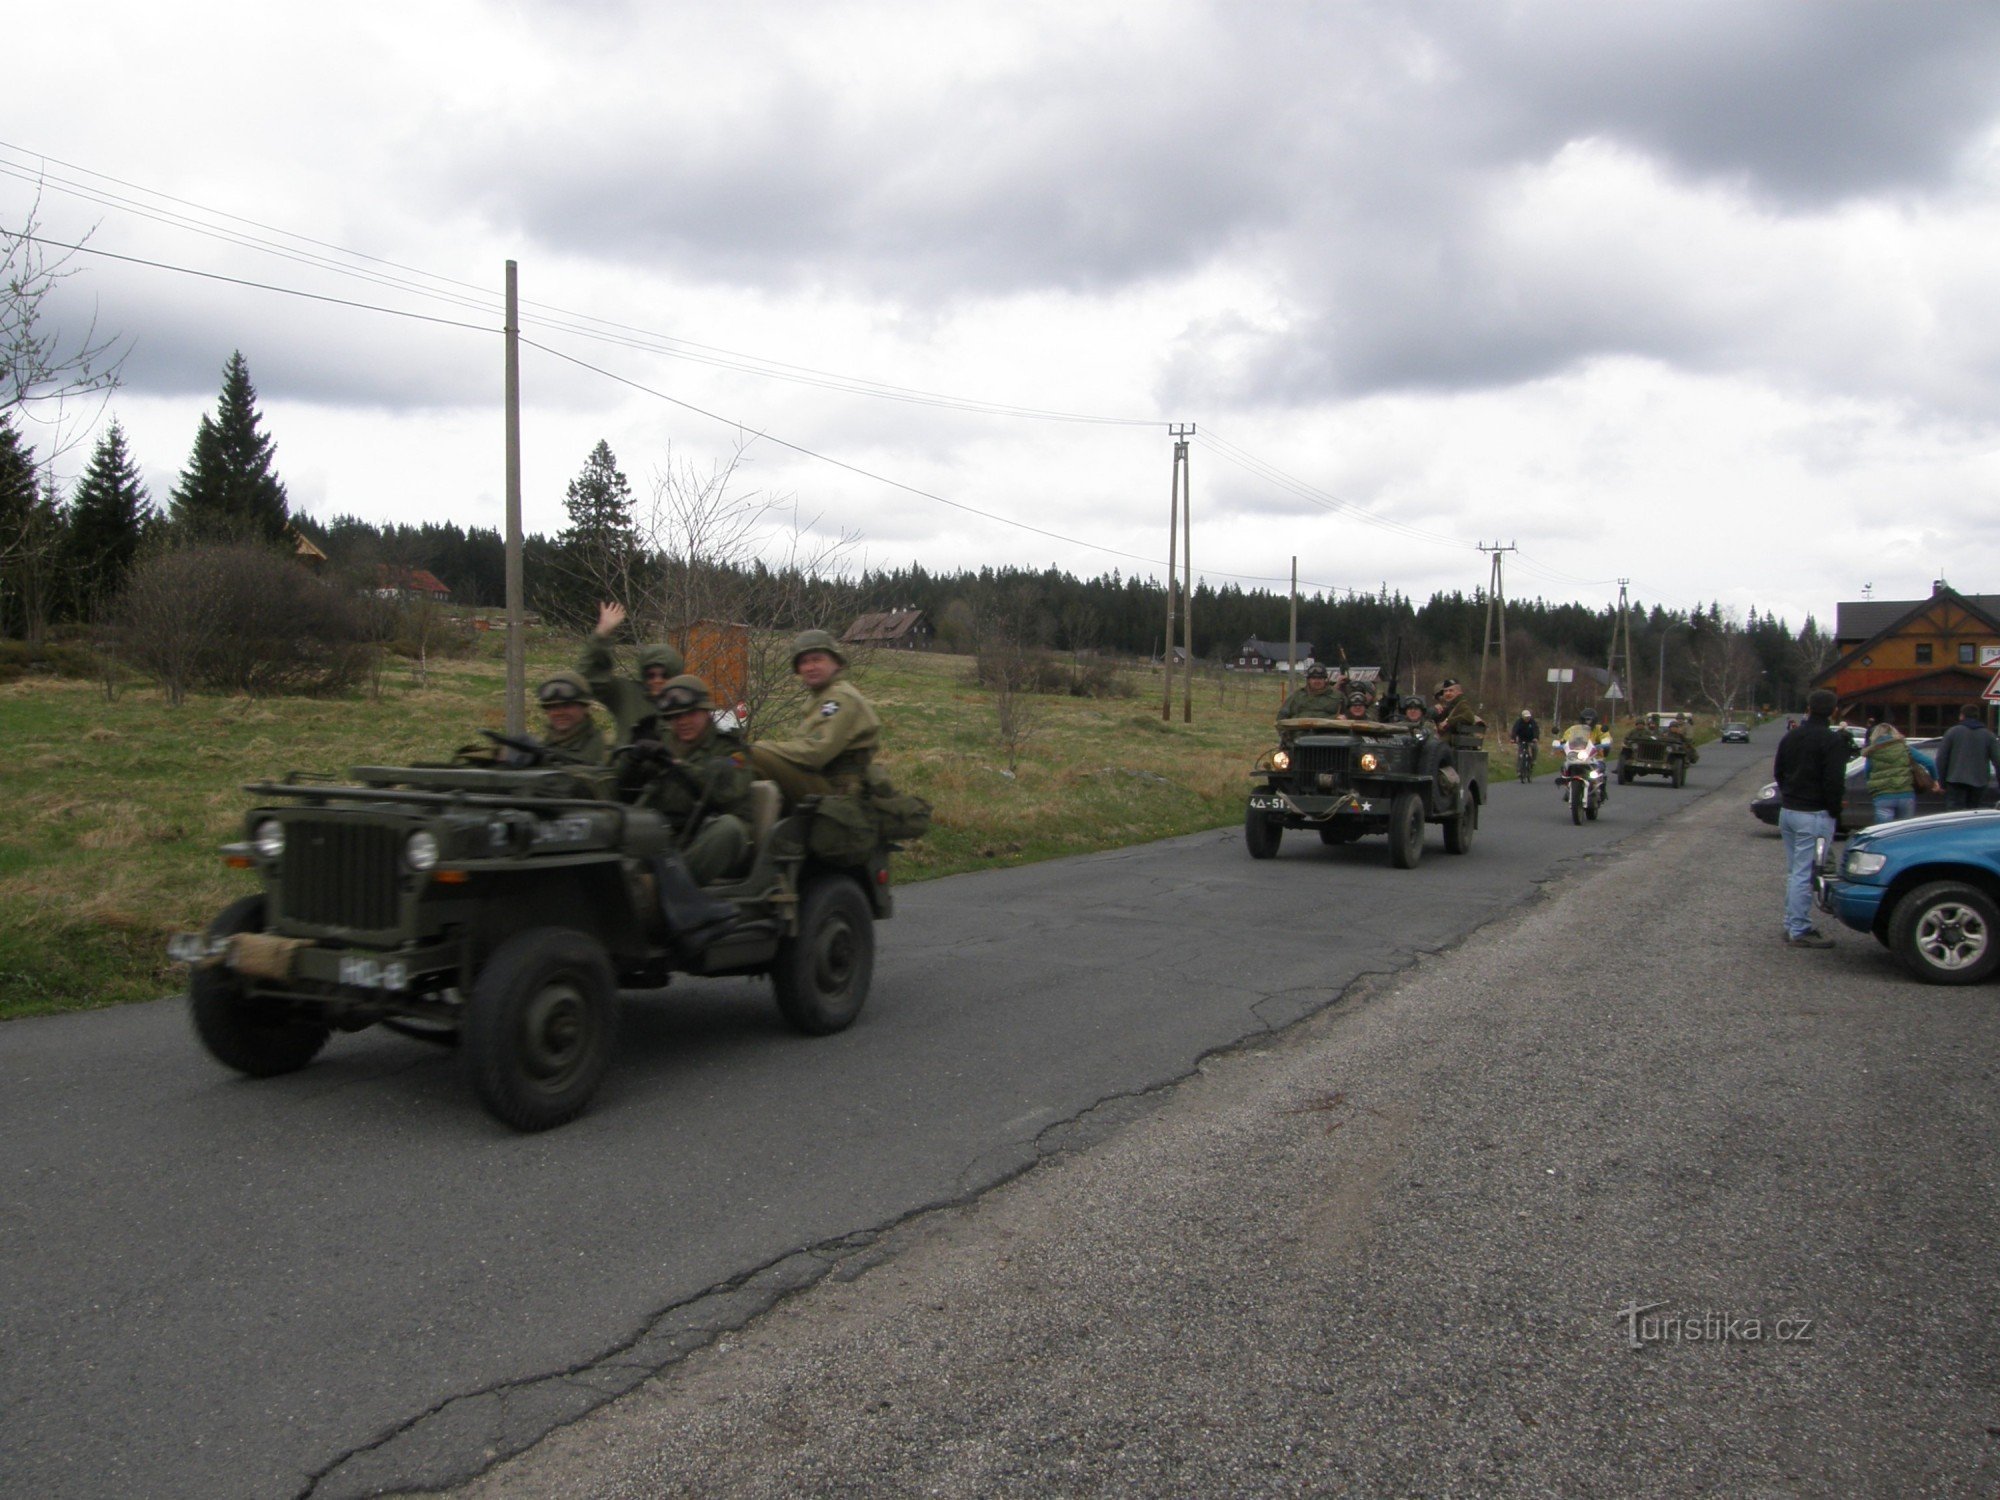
[{"x": 1349, "y": 777}]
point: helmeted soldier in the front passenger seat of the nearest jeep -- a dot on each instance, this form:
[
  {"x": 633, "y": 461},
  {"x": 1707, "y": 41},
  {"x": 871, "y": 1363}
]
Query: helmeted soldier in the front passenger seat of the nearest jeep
[{"x": 699, "y": 779}]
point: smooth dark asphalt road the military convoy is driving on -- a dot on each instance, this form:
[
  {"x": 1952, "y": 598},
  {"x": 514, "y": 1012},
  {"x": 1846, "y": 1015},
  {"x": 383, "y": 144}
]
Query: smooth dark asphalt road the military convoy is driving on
[{"x": 351, "y": 1281}]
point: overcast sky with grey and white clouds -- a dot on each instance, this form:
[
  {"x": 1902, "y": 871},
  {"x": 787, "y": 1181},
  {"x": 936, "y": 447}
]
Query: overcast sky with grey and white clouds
[{"x": 1697, "y": 295}]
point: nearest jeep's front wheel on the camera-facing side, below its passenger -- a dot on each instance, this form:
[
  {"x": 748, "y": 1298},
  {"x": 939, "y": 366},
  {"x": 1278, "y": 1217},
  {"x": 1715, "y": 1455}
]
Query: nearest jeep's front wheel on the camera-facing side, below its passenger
[{"x": 537, "y": 1035}]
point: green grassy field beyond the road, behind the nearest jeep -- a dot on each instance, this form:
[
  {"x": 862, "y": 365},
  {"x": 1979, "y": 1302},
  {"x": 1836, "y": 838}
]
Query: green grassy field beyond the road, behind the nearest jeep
[{"x": 117, "y": 805}]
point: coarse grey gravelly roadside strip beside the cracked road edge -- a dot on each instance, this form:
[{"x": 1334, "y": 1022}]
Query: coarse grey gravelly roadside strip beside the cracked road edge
[{"x": 1617, "y": 1199}]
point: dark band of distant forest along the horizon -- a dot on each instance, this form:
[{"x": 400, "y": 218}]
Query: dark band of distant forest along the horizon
[{"x": 1709, "y": 657}]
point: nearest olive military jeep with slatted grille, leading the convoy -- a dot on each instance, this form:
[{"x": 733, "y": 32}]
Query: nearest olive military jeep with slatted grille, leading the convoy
[{"x": 501, "y": 911}]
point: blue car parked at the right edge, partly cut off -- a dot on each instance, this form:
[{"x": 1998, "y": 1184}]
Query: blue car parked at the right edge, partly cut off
[{"x": 1929, "y": 889}]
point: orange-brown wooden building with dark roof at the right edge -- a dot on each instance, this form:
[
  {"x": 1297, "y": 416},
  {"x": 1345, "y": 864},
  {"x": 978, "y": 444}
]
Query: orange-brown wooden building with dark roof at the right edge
[{"x": 1915, "y": 663}]
